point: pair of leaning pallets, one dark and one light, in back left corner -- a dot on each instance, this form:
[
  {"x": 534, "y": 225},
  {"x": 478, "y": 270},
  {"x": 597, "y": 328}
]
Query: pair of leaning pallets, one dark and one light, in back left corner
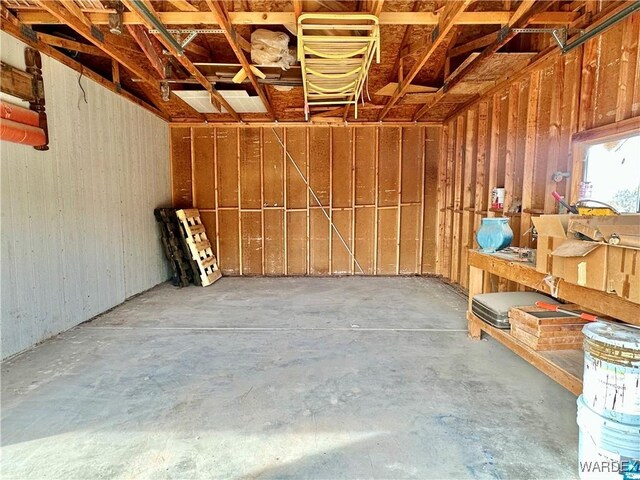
[{"x": 186, "y": 247}]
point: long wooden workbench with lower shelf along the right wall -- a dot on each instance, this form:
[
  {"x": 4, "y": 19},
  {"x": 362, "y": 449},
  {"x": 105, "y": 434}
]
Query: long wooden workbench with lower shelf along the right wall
[{"x": 564, "y": 366}]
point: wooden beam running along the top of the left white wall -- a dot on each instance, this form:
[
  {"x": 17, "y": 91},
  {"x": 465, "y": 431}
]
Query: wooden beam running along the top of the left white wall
[{"x": 13, "y": 27}]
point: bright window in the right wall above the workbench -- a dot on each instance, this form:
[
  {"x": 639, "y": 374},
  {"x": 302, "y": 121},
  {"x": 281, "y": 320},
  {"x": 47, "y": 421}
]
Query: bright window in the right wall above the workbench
[{"x": 612, "y": 174}]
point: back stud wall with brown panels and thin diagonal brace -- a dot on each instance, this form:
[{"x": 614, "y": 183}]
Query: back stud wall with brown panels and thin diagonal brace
[{"x": 377, "y": 184}]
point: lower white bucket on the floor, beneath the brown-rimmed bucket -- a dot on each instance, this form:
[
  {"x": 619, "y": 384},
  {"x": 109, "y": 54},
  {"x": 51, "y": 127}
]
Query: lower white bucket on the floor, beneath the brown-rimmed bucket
[{"x": 607, "y": 449}]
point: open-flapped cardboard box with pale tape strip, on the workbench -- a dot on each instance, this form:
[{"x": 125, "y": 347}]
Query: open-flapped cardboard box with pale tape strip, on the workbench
[{"x": 581, "y": 263}]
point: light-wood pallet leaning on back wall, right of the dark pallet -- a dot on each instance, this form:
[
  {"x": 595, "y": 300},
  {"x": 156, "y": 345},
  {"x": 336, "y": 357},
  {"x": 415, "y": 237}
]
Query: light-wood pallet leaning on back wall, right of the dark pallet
[{"x": 195, "y": 236}]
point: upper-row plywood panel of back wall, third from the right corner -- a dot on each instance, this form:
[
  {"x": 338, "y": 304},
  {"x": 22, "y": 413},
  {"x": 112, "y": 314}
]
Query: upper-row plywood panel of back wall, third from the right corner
[{"x": 388, "y": 166}]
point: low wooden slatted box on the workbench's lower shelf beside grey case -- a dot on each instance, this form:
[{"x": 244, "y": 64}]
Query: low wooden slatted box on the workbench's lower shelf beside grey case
[{"x": 540, "y": 329}]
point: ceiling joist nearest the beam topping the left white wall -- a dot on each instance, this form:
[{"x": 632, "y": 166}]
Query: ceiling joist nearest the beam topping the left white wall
[{"x": 106, "y": 45}]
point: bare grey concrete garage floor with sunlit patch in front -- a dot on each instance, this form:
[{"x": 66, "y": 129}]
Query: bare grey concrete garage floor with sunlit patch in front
[{"x": 283, "y": 378}]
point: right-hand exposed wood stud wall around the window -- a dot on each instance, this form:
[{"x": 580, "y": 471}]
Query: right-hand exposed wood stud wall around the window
[{"x": 518, "y": 135}]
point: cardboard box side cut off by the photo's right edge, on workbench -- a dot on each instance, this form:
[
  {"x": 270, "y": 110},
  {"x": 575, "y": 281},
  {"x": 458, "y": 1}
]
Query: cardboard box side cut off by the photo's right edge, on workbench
[{"x": 623, "y": 273}]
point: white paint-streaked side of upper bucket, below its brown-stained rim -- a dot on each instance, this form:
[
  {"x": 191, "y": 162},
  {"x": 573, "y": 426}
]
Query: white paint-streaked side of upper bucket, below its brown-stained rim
[{"x": 611, "y": 387}]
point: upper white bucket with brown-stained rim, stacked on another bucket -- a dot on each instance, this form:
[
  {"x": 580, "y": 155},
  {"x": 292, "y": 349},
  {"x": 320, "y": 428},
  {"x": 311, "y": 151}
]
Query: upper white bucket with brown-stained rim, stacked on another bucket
[{"x": 611, "y": 382}]
